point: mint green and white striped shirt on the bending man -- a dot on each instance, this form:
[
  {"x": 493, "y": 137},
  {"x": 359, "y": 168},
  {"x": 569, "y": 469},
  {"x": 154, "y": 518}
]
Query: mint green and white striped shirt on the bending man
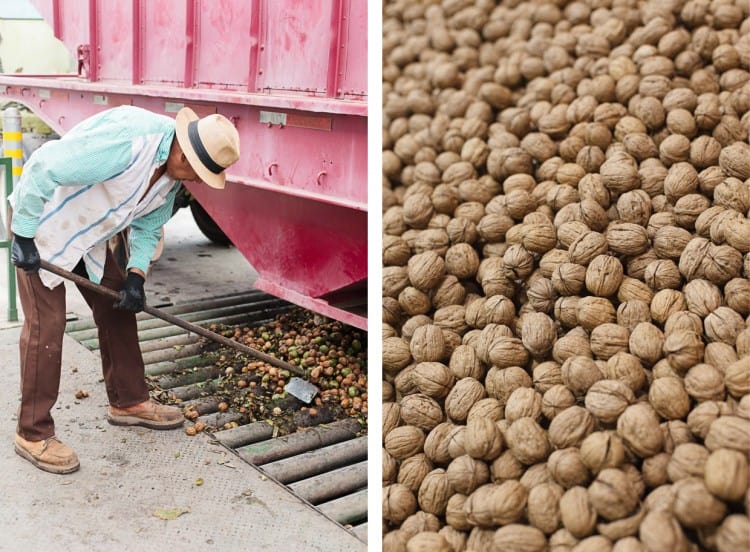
[{"x": 77, "y": 192}]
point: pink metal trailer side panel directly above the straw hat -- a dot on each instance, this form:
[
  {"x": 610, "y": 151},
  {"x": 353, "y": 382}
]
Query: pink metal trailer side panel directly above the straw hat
[{"x": 220, "y": 62}]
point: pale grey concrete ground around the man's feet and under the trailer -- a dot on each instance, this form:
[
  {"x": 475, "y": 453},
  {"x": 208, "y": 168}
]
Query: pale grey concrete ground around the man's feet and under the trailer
[{"x": 132, "y": 477}]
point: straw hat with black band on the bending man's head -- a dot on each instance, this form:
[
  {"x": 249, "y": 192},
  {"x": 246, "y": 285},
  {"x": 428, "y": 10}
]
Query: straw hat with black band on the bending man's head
[{"x": 211, "y": 144}]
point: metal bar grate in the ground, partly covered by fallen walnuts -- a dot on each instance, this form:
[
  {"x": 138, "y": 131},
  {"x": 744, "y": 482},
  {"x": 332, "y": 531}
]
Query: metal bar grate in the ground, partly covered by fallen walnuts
[{"x": 325, "y": 465}]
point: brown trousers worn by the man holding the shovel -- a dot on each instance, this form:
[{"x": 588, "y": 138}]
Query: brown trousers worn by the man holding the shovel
[{"x": 41, "y": 348}]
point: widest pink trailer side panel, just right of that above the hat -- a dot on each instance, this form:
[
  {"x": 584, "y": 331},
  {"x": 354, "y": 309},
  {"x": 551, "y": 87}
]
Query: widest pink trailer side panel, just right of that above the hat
[{"x": 294, "y": 46}]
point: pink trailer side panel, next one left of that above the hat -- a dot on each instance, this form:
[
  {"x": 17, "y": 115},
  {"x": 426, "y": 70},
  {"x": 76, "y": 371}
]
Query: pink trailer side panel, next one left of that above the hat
[{"x": 163, "y": 41}]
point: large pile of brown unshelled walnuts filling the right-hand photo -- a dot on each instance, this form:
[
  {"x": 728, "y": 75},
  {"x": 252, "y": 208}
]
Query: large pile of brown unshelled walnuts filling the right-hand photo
[{"x": 566, "y": 252}]
